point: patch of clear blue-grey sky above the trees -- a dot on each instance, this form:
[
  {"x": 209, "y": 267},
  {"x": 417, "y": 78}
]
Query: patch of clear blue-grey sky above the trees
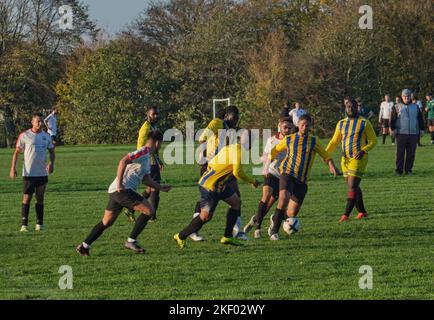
[{"x": 113, "y": 15}]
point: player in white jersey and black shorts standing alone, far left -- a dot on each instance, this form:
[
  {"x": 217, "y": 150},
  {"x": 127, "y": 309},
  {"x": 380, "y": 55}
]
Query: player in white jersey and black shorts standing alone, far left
[{"x": 34, "y": 143}]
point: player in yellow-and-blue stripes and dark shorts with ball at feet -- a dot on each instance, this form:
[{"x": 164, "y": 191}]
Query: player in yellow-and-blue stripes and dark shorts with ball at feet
[{"x": 300, "y": 149}]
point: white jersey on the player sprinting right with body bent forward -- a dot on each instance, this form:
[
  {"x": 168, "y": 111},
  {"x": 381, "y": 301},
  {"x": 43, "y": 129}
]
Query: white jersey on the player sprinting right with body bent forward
[{"x": 135, "y": 171}]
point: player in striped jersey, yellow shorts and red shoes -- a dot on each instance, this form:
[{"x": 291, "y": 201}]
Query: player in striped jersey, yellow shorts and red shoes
[{"x": 358, "y": 138}]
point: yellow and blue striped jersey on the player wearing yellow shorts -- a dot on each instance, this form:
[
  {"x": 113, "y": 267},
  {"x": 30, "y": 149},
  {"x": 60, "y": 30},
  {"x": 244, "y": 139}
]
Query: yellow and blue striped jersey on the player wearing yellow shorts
[{"x": 356, "y": 134}]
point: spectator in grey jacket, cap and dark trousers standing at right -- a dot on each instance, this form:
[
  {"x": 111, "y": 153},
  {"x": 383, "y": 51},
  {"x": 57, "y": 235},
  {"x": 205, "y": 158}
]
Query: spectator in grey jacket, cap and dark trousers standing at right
[{"x": 407, "y": 122}]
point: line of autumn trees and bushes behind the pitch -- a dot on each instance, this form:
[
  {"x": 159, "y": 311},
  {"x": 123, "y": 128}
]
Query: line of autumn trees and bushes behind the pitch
[{"x": 180, "y": 54}]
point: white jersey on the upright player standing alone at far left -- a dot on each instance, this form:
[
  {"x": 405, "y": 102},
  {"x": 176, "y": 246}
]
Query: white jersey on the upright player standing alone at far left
[{"x": 34, "y": 145}]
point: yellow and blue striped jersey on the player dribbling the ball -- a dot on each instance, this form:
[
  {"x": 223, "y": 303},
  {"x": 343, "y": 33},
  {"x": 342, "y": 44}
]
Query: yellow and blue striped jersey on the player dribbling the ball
[{"x": 300, "y": 155}]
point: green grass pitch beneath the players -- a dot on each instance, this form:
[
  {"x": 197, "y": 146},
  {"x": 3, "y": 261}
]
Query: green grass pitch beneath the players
[{"x": 320, "y": 262}]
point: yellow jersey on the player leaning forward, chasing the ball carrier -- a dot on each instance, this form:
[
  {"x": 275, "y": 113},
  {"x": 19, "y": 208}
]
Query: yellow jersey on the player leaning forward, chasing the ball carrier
[{"x": 225, "y": 164}]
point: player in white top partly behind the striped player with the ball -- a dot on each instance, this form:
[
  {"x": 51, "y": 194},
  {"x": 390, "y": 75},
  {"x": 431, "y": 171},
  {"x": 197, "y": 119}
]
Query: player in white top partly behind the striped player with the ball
[{"x": 271, "y": 172}]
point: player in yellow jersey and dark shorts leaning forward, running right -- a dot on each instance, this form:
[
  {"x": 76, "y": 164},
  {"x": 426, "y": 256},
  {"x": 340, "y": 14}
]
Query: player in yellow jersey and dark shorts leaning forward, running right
[{"x": 214, "y": 186}]
